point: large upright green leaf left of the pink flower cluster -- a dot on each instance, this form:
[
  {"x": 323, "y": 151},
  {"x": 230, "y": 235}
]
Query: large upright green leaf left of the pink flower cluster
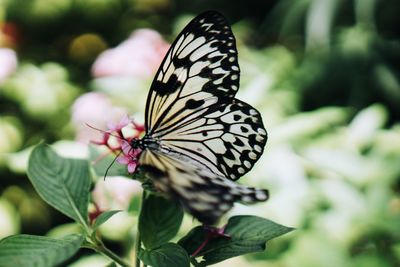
[{"x": 62, "y": 183}]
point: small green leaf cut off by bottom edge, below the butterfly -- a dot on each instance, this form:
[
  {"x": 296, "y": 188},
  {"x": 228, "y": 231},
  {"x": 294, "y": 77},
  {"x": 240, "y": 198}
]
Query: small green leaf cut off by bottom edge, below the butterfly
[{"x": 167, "y": 255}]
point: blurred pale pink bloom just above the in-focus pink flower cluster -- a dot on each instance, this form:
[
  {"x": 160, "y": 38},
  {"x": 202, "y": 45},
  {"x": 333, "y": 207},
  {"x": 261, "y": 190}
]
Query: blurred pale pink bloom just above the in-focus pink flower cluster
[{"x": 94, "y": 109}]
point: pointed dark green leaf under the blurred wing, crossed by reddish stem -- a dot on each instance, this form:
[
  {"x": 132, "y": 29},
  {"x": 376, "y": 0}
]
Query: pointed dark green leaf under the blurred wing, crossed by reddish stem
[{"x": 247, "y": 234}]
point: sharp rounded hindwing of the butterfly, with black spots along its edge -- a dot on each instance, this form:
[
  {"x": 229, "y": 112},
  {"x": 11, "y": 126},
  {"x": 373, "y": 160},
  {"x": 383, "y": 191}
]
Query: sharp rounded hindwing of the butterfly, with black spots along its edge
[{"x": 228, "y": 139}]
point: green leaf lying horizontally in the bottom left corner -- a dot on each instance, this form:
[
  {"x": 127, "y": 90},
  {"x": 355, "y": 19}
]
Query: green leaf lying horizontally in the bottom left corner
[{"x": 37, "y": 251}]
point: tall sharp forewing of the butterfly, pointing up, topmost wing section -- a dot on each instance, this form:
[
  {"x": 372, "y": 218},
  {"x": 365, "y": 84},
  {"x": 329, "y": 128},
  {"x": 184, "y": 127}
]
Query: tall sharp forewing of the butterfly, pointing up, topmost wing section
[{"x": 199, "y": 70}]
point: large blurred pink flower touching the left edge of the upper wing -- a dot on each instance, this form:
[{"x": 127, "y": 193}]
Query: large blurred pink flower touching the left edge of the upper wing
[{"x": 138, "y": 56}]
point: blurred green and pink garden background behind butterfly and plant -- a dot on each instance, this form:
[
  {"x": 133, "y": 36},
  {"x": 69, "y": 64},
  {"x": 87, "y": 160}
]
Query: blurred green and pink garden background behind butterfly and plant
[{"x": 323, "y": 73}]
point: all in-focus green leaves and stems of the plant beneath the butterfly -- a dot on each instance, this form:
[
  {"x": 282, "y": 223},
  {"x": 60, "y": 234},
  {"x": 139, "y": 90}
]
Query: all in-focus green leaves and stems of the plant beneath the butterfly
[{"x": 64, "y": 184}]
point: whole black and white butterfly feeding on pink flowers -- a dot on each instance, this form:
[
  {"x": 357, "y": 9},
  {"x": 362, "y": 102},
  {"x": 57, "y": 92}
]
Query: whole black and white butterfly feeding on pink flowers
[{"x": 199, "y": 137}]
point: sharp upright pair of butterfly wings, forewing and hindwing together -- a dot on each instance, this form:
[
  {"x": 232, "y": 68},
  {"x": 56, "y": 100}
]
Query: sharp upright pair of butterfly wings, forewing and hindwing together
[{"x": 191, "y": 106}]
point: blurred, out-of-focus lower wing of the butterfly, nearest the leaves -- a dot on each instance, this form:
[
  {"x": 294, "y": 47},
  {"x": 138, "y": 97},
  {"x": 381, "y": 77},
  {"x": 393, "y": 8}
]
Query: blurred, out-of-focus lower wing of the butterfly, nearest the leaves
[{"x": 202, "y": 193}]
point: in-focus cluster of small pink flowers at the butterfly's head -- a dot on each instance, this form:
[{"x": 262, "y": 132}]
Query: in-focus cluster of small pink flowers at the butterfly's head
[{"x": 118, "y": 139}]
